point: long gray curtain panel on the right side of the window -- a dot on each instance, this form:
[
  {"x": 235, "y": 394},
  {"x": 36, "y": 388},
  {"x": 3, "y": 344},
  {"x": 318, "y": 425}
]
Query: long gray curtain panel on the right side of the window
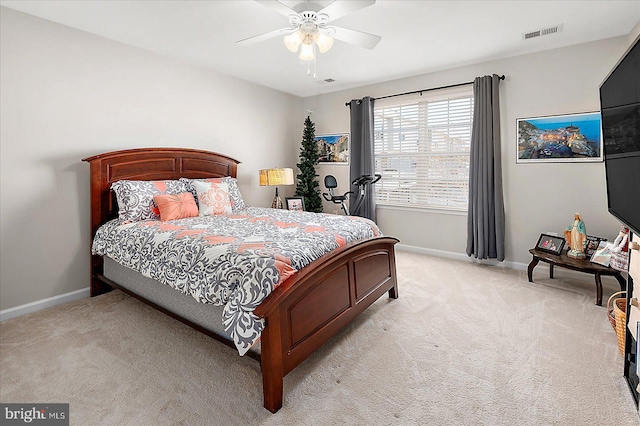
[{"x": 485, "y": 220}]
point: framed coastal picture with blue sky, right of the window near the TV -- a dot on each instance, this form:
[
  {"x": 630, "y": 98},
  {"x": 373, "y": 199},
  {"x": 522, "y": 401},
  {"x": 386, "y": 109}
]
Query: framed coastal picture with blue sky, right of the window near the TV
[{"x": 560, "y": 138}]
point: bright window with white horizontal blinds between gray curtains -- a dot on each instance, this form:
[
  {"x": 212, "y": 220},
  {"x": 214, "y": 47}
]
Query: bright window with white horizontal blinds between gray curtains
[{"x": 421, "y": 149}]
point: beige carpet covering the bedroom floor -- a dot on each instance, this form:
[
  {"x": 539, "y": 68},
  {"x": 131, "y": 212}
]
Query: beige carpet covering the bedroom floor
[{"x": 464, "y": 344}]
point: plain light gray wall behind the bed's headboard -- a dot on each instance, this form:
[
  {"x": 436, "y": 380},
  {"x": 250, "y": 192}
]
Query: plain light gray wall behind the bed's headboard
[{"x": 67, "y": 95}]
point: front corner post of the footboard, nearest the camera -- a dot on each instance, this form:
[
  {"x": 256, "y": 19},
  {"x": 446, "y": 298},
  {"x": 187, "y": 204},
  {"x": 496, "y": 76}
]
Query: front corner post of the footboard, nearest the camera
[{"x": 271, "y": 362}]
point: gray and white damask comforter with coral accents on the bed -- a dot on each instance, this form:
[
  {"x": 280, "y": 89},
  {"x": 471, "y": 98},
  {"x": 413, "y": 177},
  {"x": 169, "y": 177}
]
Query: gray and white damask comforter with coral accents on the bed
[{"x": 235, "y": 260}]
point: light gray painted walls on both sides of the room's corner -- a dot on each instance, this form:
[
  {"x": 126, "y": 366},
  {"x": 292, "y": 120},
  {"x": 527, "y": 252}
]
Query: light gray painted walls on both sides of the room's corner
[{"x": 67, "y": 94}]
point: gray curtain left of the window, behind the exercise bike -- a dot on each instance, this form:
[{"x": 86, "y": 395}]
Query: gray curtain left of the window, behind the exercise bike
[{"x": 361, "y": 155}]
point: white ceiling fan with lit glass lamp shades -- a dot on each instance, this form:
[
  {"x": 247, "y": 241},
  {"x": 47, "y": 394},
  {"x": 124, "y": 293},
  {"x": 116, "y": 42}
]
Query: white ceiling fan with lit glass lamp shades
[{"x": 308, "y": 27}]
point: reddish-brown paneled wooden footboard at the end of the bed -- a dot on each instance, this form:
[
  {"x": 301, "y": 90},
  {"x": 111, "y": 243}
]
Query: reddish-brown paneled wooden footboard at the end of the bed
[{"x": 313, "y": 305}]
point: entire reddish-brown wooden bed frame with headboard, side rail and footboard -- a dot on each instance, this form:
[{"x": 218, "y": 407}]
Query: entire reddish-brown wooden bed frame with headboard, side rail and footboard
[{"x": 300, "y": 315}]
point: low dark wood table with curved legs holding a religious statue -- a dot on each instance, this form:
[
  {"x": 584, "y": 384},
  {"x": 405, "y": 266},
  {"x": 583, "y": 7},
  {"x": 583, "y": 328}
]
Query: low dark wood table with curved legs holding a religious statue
[{"x": 586, "y": 266}]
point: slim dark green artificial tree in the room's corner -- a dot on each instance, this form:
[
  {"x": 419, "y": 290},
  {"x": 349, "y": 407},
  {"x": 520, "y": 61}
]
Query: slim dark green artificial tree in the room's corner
[{"x": 308, "y": 187}]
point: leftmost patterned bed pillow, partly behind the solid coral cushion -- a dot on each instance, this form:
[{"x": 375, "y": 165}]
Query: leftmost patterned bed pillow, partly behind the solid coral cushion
[{"x": 135, "y": 197}]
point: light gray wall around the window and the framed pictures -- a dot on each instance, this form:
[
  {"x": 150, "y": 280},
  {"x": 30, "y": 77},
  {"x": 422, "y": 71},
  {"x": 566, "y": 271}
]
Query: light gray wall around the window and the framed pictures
[{"x": 538, "y": 197}]
